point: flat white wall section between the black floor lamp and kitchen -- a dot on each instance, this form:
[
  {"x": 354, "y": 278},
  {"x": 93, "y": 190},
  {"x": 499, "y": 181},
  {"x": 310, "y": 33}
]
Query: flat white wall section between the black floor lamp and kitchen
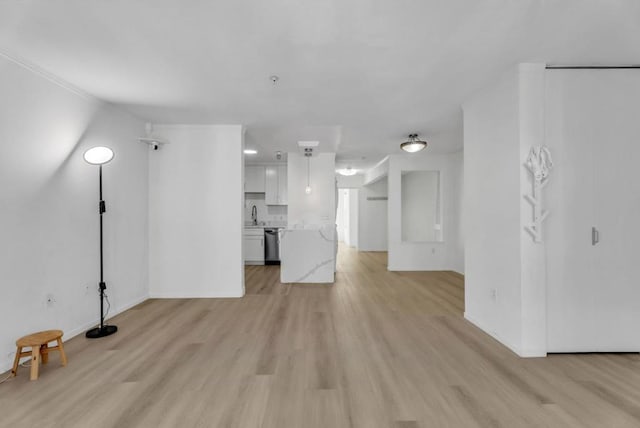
[{"x": 196, "y": 204}]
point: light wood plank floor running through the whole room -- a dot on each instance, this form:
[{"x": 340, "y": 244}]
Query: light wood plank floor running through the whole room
[{"x": 377, "y": 349}]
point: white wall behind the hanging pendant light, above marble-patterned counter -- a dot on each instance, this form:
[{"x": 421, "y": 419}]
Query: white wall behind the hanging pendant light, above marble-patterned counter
[{"x": 316, "y": 208}]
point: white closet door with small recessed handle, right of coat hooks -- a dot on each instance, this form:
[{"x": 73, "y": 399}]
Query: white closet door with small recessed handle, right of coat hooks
[{"x": 593, "y": 295}]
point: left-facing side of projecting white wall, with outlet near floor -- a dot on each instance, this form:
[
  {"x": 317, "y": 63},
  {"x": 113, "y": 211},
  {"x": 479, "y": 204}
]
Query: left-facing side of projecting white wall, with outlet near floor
[{"x": 492, "y": 211}]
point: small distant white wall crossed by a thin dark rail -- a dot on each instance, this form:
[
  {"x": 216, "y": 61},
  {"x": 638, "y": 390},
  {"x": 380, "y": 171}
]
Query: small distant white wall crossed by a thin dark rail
[{"x": 372, "y": 217}]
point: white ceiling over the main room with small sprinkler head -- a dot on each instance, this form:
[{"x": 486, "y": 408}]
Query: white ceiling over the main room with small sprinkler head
[{"x": 357, "y": 75}]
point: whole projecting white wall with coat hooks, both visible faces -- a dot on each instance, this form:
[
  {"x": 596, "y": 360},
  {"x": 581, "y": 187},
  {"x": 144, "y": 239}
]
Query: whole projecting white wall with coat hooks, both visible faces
[{"x": 504, "y": 270}]
